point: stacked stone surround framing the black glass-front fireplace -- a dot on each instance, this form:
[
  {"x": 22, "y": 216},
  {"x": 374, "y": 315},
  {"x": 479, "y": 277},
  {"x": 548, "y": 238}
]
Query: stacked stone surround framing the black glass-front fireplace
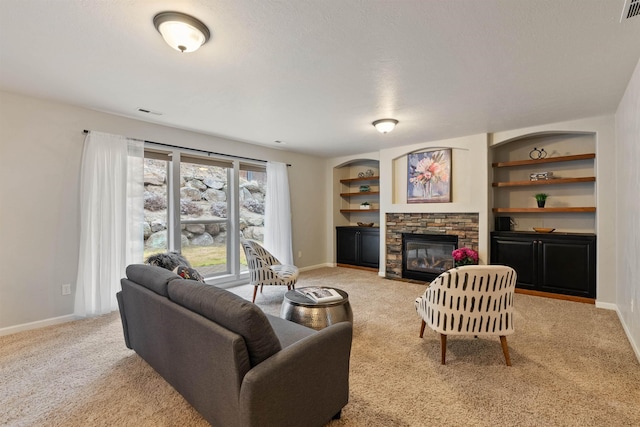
[{"x": 463, "y": 225}]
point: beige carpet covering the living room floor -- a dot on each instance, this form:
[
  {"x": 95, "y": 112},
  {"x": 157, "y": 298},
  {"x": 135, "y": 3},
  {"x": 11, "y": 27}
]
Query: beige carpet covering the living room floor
[{"x": 572, "y": 366}]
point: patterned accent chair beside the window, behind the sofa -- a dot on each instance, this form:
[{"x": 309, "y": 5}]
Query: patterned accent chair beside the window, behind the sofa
[{"x": 265, "y": 269}]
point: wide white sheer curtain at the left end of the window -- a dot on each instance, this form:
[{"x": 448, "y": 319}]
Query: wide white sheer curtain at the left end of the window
[{"x": 111, "y": 216}]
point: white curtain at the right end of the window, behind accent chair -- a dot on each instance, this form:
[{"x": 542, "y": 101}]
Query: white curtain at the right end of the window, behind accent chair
[{"x": 277, "y": 216}]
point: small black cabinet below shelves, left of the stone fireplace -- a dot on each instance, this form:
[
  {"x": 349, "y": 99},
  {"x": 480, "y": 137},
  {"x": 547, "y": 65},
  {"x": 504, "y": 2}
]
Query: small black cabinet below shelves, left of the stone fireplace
[{"x": 359, "y": 246}]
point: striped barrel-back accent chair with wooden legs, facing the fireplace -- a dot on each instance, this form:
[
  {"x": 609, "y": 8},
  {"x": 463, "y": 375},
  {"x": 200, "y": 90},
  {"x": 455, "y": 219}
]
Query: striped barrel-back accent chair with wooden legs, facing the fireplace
[{"x": 470, "y": 300}]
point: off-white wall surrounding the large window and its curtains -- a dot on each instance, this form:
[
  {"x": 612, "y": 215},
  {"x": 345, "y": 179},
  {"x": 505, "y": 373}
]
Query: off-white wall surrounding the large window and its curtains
[{"x": 41, "y": 146}]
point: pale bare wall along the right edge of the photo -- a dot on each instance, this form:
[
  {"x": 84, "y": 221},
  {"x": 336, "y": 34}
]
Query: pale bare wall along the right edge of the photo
[{"x": 627, "y": 245}]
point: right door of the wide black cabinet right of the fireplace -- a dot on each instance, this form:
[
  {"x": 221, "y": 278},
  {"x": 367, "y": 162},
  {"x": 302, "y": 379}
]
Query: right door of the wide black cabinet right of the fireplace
[{"x": 568, "y": 267}]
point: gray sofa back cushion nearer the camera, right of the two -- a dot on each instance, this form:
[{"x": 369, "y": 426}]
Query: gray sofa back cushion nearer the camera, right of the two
[{"x": 231, "y": 312}]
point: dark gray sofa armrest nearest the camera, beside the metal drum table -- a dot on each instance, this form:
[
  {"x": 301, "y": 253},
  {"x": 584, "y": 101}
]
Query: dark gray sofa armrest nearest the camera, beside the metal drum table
[{"x": 306, "y": 383}]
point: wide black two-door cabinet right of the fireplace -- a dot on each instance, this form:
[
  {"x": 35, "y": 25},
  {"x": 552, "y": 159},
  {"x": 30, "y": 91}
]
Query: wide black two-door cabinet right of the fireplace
[{"x": 561, "y": 263}]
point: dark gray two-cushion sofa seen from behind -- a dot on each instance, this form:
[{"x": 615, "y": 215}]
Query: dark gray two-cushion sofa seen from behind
[{"x": 235, "y": 364}]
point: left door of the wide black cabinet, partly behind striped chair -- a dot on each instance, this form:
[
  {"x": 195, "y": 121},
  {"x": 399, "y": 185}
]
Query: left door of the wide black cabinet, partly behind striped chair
[{"x": 519, "y": 254}]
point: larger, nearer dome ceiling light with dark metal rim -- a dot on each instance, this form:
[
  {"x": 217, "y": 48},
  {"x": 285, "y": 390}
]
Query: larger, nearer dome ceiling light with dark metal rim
[{"x": 181, "y": 31}]
